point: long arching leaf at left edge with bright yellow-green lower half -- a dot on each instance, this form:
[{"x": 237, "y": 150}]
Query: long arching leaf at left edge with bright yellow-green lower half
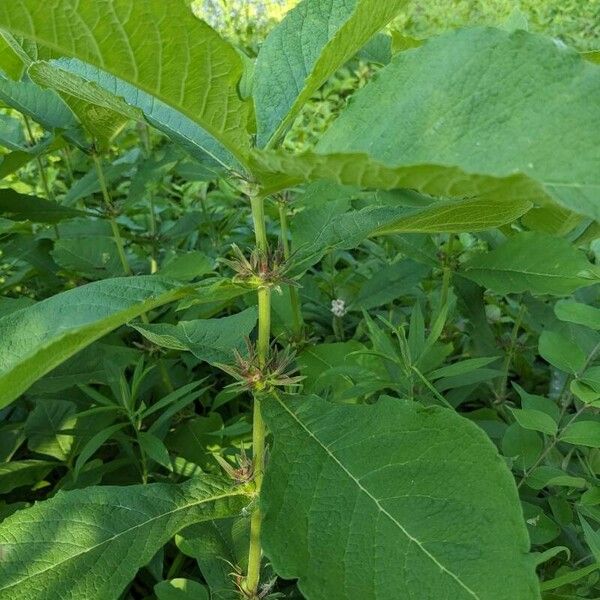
[{"x": 38, "y": 338}]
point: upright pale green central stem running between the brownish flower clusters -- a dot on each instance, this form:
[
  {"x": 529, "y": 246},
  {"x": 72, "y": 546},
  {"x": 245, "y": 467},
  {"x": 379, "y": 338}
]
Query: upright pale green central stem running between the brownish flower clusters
[{"x": 252, "y": 580}]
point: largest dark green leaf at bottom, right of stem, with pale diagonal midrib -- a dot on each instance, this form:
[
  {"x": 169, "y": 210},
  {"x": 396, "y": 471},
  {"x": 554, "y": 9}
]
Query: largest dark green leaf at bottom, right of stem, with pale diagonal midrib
[{"x": 383, "y": 501}]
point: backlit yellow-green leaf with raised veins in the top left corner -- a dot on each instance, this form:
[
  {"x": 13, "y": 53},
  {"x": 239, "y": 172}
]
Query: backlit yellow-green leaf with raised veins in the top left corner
[{"x": 159, "y": 48}]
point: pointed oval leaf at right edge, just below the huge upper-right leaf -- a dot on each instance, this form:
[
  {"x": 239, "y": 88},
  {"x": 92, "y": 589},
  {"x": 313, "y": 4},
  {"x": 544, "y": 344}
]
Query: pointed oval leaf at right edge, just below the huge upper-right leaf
[{"x": 533, "y": 262}]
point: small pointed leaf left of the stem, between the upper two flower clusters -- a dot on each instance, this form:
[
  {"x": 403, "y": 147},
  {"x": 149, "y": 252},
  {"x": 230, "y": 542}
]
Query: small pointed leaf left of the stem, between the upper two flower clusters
[{"x": 212, "y": 340}]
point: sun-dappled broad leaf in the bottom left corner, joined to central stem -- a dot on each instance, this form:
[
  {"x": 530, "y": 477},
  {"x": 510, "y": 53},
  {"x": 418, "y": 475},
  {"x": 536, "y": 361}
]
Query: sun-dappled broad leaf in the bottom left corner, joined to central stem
[{"x": 90, "y": 543}]
